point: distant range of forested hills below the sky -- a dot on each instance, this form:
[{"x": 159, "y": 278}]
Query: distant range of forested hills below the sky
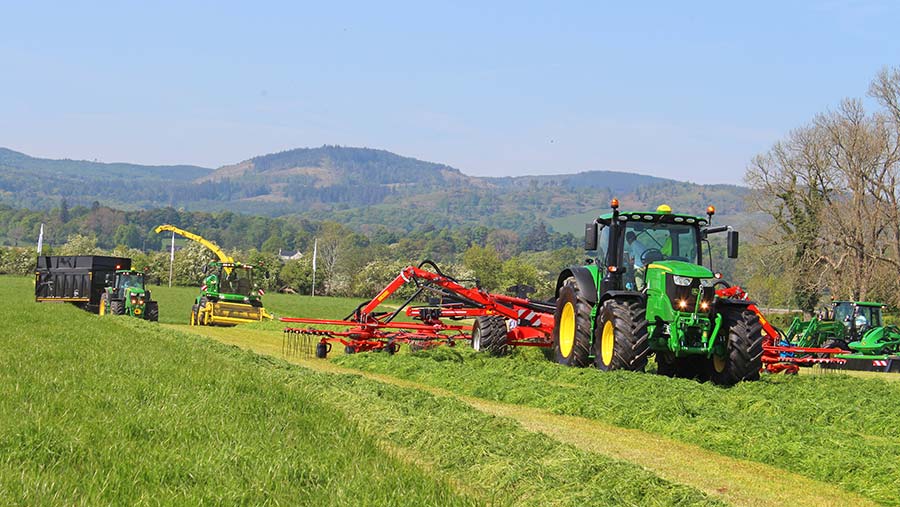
[{"x": 361, "y": 187}]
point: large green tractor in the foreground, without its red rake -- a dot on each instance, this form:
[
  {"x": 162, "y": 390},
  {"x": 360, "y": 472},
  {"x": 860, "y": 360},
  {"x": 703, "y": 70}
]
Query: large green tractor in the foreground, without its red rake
[{"x": 647, "y": 292}]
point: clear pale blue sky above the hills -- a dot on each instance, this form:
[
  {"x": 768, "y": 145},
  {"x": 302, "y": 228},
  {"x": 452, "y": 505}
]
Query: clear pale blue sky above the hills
[{"x": 676, "y": 89}]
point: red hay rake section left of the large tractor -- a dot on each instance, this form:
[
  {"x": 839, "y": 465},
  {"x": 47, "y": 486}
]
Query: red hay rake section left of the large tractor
[{"x": 529, "y": 323}]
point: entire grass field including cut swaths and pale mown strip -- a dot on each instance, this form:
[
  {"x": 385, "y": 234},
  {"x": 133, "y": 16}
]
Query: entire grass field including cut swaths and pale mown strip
[{"x": 115, "y": 410}]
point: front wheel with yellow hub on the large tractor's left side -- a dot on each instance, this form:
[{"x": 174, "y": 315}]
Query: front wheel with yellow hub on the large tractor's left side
[{"x": 621, "y": 340}]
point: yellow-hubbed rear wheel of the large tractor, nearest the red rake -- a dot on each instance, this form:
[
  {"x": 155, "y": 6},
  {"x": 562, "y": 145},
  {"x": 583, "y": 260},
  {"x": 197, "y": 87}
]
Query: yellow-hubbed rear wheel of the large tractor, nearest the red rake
[{"x": 572, "y": 332}]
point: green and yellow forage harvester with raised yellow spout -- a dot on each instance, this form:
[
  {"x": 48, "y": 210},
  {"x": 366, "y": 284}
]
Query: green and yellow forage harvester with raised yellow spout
[{"x": 228, "y": 295}]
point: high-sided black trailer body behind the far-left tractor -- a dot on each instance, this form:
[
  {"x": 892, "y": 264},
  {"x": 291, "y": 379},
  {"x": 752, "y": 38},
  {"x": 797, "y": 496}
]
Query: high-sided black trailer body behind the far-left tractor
[{"x": 78, "y": 279}]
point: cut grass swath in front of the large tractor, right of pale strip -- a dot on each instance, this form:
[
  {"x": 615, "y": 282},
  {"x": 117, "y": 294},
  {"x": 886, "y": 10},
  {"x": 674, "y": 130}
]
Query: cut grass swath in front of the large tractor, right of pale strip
[{"x": 831, "y": 428}]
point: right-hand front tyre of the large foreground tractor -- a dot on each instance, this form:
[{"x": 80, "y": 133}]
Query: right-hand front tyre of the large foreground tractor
[{"x": 743, "y": 360}]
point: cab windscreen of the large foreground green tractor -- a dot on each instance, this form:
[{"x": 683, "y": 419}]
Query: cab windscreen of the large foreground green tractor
[{"x": 647, "y": 242}]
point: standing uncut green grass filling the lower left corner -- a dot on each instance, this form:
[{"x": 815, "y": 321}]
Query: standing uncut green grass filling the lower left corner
[{"x": 118, "y": 411}]
